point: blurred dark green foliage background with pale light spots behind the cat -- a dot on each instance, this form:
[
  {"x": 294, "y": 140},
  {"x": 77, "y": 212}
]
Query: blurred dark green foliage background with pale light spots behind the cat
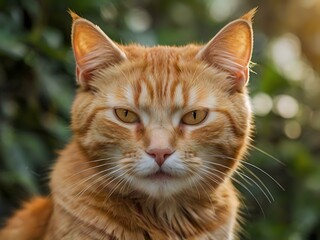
[{"x": 37, "y": 86}]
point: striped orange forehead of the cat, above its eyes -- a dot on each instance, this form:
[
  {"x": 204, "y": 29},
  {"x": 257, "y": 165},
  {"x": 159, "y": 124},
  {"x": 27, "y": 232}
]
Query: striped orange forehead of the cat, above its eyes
[{"x": 160, "y": 83}]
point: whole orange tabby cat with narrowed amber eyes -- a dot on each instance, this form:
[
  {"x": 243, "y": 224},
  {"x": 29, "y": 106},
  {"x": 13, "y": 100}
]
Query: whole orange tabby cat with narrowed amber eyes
[{"x": 157, "y": 134}]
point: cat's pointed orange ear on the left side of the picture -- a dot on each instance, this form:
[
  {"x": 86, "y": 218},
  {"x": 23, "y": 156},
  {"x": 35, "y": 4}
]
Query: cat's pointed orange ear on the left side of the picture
[{"x": 92, "y": 48}]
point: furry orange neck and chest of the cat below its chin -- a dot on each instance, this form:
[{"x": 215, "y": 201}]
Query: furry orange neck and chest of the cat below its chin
[{"x": 131, "y": 217}]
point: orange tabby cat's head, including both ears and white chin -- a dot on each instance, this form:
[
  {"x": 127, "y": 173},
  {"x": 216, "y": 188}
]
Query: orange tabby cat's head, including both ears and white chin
[{"x": 162, "y": 120}]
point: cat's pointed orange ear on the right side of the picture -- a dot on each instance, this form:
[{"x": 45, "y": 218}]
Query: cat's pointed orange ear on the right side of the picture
[{"x": 231, "y": 49}]
